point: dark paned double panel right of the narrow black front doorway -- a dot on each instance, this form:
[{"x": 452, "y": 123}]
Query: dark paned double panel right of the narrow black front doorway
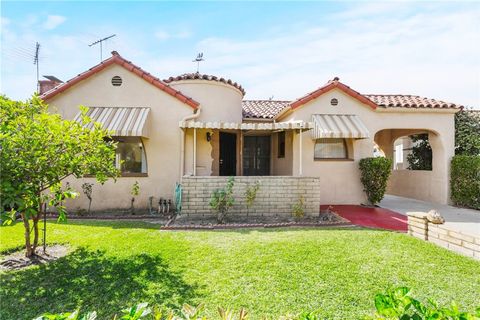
[{"x": 256, "y": 155}]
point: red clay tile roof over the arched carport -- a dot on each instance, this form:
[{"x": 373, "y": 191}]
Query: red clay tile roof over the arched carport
[{"x": 408, "y": 101}]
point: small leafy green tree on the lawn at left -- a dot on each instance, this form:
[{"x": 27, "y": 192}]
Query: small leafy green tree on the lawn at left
[{"x": 38, "y": 151}]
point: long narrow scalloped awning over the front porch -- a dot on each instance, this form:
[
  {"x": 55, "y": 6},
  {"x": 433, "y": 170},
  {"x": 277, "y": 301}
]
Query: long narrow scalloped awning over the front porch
[{"x": 248, "y": 125}]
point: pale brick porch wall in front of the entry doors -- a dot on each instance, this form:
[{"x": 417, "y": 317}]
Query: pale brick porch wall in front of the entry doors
[{"x": 276, "y": 195}]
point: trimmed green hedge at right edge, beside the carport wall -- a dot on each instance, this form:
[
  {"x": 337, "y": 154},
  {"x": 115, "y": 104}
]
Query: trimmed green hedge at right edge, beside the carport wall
[{"x": 465, "y": 181}]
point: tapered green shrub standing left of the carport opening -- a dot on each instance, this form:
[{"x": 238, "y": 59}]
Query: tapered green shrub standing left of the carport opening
[{"x": 374, "y": 177}]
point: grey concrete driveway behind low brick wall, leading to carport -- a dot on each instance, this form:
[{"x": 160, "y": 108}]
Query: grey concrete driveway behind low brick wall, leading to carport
[{"x": 463, "y": 220}]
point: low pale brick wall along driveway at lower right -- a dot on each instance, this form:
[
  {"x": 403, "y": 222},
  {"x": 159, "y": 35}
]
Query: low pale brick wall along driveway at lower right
[{"x": 442, "y": 235}]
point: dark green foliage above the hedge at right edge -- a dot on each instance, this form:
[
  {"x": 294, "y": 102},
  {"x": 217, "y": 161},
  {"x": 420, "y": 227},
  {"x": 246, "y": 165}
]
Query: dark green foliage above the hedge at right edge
[{"x": 467, "y": 132}]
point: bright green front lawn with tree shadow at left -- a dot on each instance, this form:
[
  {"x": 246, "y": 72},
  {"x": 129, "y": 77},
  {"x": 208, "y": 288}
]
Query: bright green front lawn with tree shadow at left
[{"x": 269, "y": 272}]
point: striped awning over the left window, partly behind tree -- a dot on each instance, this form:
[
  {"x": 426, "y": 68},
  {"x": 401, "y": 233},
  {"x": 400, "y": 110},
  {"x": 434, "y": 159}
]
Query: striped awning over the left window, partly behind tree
[{"x": 120, "y": 121}]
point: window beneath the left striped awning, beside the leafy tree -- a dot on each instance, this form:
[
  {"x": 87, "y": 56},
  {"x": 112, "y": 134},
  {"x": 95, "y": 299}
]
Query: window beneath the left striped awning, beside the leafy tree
[{"x": 130, "y": 157}]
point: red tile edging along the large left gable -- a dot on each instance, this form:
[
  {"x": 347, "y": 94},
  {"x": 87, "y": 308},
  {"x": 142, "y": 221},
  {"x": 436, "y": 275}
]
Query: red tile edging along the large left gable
[{"x": 119, "y": 60}]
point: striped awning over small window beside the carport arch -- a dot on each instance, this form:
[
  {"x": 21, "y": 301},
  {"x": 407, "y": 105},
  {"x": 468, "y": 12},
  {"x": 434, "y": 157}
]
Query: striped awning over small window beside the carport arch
[{"x": 338, "y": 126}]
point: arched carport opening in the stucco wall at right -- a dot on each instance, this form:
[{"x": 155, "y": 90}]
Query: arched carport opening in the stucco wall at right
[{"x": 423, "y": 183}]
